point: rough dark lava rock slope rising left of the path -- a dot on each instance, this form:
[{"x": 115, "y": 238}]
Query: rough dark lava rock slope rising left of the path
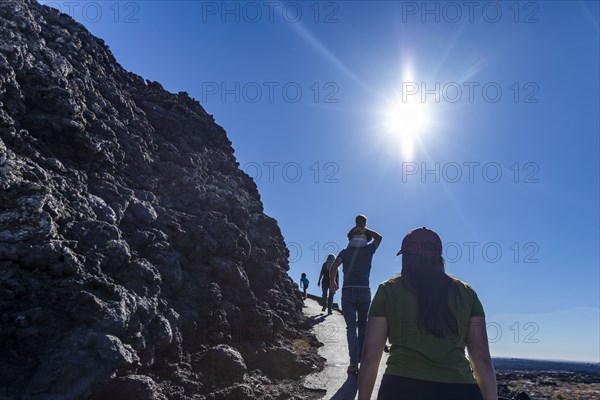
[{"x": 136, "y": 261}]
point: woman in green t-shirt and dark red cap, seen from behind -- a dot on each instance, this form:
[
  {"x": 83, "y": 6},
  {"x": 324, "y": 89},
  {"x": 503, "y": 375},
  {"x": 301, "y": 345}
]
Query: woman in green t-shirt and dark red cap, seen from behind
[{"x": 429, "y": 318}]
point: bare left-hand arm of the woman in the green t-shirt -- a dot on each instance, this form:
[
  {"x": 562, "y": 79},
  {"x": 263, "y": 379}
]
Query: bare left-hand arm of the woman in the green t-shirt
[{"x": 375, "y": 338}]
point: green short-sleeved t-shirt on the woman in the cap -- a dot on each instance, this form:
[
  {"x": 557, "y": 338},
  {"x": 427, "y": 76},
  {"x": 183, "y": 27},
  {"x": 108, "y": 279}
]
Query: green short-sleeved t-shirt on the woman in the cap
[{"x": 416, "y": 354}]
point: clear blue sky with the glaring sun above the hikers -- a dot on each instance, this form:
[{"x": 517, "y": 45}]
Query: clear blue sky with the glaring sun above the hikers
[{"x": 499, "y": 104}]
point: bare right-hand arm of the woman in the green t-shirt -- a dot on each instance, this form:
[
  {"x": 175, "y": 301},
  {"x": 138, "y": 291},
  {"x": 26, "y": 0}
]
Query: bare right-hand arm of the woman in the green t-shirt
[{"x": 479, "y": 353}]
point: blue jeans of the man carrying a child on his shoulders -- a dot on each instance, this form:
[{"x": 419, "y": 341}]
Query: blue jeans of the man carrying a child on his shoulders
[{"x": 355, "y": 307}]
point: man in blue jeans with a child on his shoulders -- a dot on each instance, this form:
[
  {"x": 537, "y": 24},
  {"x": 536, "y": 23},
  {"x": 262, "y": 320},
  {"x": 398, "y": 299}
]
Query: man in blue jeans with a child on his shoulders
[{"x": 356, "y": 293}]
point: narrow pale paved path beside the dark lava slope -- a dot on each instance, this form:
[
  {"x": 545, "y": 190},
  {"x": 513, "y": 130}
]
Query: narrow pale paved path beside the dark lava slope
[{"x": 331, "y": 331}]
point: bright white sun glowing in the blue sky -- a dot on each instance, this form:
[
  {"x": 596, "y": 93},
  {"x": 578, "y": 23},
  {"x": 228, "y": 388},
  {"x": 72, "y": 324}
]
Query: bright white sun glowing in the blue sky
[{"x": 405, "y": 122}]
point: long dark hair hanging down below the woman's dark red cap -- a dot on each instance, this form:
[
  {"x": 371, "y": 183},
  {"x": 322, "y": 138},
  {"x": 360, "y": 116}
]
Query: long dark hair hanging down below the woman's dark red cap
[{"x": 427, "y": 277}]
